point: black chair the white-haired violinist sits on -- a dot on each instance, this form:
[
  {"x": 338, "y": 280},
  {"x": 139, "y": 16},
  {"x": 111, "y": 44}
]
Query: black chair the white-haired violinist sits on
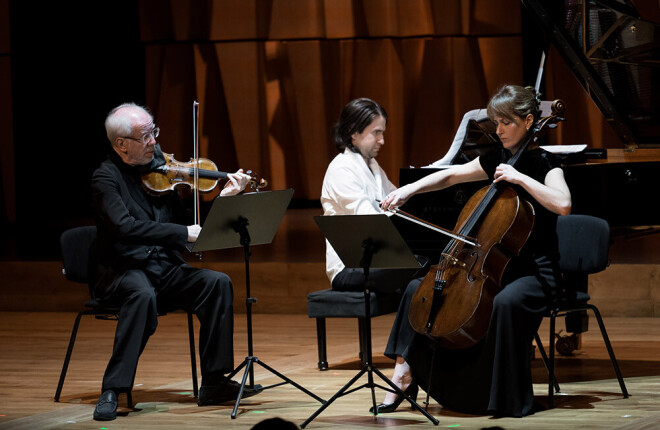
[{"x": 76, "y": 244}]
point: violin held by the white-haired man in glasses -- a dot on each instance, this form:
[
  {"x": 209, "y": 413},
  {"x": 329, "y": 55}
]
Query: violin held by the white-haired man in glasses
[{"x": 175, "y": 173}]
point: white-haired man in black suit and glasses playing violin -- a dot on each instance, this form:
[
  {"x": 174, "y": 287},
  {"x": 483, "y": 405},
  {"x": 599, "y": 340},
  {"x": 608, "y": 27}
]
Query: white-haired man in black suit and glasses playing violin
[{"x": 139, "y": 265}]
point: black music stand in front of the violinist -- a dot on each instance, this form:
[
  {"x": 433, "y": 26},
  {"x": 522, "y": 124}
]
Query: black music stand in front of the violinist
[{"x": 226, "y": 226}]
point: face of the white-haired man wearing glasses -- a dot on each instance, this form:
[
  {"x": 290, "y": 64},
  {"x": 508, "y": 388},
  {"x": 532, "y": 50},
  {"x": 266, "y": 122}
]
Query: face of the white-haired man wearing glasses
[{"x": 137, "y": 149}]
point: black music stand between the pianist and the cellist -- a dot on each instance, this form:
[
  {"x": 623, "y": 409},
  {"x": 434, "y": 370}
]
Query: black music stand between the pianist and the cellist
[{"x": 367, "y": 241}]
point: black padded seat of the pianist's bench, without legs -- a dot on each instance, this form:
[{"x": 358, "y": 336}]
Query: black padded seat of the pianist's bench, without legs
[{"x": 349, "y": 304}]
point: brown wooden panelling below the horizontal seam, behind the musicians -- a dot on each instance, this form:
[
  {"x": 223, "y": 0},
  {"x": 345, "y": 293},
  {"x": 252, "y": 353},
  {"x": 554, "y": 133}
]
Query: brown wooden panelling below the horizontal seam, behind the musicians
[{"x": 270, "y": 106}]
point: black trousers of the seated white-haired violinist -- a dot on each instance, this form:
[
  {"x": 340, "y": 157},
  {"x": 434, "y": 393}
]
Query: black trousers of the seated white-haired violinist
[{"x": 168, "y": 287}]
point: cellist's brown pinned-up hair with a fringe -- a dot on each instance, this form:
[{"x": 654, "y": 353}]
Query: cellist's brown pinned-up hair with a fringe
[{"x": 515, "y": 101}]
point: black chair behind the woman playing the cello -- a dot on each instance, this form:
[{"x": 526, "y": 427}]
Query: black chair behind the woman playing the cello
[{"x": 584, "y": 243}]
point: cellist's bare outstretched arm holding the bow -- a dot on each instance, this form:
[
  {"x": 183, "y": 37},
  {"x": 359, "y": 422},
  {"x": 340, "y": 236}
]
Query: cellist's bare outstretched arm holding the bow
[{"x": 457, "y": 174}]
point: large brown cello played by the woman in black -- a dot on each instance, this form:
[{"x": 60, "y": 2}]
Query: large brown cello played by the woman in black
[{"x": 454, "y": 302}]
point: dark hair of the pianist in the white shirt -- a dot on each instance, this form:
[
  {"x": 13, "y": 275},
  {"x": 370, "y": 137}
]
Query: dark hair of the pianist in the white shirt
[{"x": 354, "y": 118}]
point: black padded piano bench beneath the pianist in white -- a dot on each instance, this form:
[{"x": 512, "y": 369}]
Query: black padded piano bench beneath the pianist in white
[{"x": 346, "y": 304}]
